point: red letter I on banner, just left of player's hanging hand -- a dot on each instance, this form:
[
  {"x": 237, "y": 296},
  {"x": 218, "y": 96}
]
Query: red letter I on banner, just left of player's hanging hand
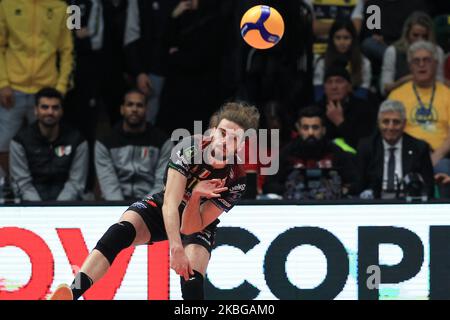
[{"x": 158, "y": 271}]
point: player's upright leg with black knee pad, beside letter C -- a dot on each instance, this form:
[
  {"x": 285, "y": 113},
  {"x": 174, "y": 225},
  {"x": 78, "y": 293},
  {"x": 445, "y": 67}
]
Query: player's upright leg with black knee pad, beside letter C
[{"x": 193, "y": 289}]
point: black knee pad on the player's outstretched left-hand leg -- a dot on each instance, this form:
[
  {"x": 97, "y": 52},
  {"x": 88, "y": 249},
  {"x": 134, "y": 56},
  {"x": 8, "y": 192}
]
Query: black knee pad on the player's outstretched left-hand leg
[{"x": 118, "y": 237}]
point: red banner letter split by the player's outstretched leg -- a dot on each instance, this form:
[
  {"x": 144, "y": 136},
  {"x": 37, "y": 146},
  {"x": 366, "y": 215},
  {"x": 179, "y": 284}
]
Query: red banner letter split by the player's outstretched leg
[{"x": 77, "y": 251}]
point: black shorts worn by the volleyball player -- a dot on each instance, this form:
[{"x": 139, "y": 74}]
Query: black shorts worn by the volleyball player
[{"x": 151, "y": 213}]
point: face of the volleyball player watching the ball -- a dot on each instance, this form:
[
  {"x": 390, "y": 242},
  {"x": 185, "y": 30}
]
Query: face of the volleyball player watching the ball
[{"x": 226, "y": 140}]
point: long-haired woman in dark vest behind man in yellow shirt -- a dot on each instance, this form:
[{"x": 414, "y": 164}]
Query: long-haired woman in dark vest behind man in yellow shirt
[{"x": 395, "y": 69}]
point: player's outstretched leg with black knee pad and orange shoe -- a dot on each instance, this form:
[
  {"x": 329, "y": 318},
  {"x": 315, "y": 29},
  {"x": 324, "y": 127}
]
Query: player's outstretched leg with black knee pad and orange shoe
[{"x": 130, "y": 230}]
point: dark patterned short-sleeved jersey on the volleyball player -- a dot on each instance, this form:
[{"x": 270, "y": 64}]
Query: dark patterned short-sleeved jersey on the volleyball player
[{"x": 187, "y": 159}]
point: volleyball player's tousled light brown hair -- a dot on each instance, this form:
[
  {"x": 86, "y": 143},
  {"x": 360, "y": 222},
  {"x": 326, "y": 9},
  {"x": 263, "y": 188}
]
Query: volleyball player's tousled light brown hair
[{"x": 244, "y": 115}]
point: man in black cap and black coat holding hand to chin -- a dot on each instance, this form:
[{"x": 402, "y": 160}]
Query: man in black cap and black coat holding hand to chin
[{"x": 347, "y": 116}]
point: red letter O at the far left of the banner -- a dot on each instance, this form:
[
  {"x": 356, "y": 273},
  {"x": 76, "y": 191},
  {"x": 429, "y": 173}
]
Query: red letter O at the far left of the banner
[{"x": 41, "y": 263}]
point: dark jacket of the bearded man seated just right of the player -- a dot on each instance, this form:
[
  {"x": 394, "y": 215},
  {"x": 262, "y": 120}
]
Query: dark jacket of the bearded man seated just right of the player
[{"x": 293, "y": 157}]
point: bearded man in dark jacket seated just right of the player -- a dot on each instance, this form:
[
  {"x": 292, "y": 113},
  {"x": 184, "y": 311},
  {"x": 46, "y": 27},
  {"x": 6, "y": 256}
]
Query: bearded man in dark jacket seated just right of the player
[{"x": 309, "y": 159}]
